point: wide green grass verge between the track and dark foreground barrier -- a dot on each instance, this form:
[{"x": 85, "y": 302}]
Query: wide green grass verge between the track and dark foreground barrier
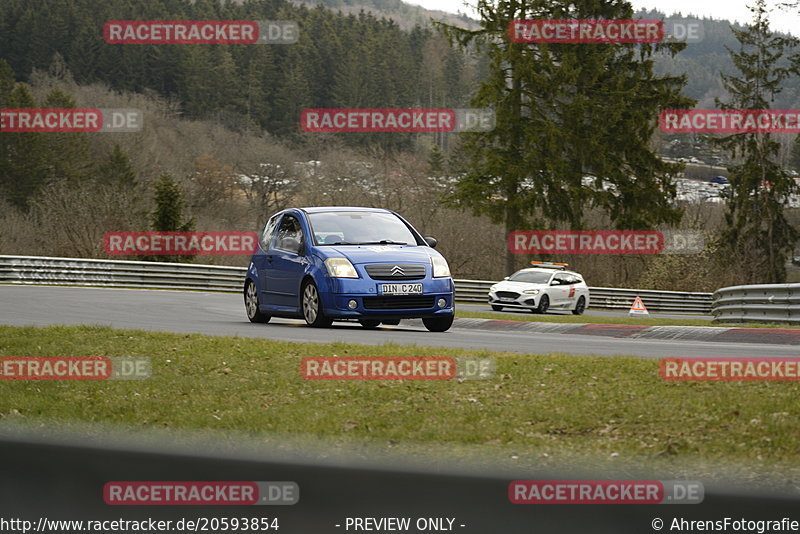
[{"x": 538, "y": 410}]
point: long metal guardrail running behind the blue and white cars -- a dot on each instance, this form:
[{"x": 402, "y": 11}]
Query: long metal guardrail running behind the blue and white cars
[{"x": 157, "y": 275}]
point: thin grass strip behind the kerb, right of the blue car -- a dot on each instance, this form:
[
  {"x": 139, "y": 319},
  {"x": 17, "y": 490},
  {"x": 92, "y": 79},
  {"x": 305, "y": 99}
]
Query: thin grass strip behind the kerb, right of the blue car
[{"x": 596, "y": 319}]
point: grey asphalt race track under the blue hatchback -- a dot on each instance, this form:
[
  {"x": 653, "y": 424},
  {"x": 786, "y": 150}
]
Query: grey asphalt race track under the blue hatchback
[{"x": 223, "y": 314}]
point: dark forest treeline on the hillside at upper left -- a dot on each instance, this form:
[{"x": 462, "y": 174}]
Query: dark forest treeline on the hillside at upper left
[{"x": 339, "y": 61}]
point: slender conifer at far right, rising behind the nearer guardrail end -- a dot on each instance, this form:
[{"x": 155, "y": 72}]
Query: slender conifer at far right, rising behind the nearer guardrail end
[{"x": 758, "y": 238}]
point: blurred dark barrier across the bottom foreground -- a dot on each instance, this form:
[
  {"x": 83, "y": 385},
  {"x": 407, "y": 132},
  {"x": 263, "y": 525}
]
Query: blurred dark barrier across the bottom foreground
[{"x": 47, "y": 477}]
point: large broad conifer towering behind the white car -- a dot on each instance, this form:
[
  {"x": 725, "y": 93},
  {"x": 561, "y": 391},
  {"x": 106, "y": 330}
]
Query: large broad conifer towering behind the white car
[{"x": 565, "y": 112}]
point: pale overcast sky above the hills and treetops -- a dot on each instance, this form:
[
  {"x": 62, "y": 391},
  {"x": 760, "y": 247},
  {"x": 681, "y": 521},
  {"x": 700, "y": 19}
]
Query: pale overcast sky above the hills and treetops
[{"x": 783, "y": 20}]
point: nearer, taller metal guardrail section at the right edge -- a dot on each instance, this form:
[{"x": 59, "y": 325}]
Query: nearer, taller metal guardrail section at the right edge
[{"x": 770, "y": 303}]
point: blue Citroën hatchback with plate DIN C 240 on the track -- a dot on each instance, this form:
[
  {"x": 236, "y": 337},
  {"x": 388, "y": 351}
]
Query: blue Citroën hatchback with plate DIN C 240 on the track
[{"x": 337, "y": 263}]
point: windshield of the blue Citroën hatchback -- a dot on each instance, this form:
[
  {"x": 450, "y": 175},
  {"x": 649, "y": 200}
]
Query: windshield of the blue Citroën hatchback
[{"x": 359, "y": 228}]
